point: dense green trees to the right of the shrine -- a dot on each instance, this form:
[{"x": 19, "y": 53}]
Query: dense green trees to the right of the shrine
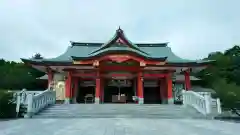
[{"x": 224, "y": 76}]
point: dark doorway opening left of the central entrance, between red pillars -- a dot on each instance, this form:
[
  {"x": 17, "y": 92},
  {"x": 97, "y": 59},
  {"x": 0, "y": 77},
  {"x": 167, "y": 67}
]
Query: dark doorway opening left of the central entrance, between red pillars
[{"x": 85, "y": 91}]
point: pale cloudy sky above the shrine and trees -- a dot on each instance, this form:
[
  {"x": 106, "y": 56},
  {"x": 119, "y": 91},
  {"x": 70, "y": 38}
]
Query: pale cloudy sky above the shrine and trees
[{"x": 194, "y": 28}]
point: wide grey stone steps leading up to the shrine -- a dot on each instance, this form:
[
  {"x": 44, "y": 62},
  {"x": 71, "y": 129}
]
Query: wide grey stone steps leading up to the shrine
[{"x": 118, "y": 111}]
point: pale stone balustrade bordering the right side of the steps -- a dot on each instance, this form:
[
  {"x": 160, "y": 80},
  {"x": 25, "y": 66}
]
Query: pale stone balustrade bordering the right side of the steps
[{"x": 199, "y": 102}]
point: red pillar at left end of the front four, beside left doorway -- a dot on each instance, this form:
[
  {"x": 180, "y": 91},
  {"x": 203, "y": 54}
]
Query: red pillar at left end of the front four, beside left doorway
[{"x": 68, "y": 82}]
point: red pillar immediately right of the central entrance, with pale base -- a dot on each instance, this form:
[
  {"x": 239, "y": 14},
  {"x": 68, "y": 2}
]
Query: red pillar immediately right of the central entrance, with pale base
[{"x": 140, "y": 88}]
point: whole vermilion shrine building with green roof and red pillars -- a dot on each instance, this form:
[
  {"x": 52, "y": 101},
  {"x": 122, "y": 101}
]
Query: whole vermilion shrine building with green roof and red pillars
[{"x": 118, "y": 71}]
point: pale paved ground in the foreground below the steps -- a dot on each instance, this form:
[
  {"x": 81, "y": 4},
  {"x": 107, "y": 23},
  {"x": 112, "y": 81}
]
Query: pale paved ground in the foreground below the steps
[{"x": 118, "y": 126}]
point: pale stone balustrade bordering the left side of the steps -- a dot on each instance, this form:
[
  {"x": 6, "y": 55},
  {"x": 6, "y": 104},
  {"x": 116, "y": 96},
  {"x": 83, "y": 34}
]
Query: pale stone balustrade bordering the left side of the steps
[{"x": 36, "y": 103}]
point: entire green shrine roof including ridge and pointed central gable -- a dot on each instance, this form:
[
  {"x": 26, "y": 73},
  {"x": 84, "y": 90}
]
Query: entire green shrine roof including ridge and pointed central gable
[{"x": 88, "y": 50}]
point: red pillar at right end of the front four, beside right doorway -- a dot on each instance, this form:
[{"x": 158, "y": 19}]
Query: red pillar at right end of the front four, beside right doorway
[{"x": 169, "y": 88}]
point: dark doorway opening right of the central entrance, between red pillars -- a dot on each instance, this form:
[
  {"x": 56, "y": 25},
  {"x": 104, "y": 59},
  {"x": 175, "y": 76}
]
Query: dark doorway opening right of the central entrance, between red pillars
[{"x": 152, "y": 95}]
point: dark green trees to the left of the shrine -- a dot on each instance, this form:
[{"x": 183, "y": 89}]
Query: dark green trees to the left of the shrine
[{"x": 17, "y": 75}]
